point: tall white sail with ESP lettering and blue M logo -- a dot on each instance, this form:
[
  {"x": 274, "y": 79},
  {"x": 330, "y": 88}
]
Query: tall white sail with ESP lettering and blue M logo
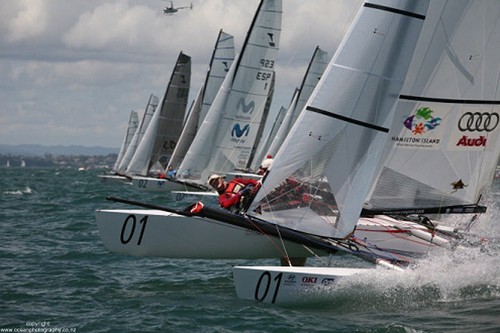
[{"x": 226, "y": 138}]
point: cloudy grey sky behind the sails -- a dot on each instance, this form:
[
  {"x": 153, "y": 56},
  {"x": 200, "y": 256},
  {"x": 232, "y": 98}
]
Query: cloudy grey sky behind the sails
[{"x": 71, "y": 71}]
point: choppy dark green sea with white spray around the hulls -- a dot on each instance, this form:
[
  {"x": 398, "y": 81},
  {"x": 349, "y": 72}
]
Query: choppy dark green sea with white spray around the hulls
[{"x": 57, "y": 276}]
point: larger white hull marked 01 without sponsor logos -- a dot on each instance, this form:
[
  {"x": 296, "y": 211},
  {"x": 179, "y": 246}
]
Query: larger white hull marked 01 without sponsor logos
[{"x": 158, "y": 233}]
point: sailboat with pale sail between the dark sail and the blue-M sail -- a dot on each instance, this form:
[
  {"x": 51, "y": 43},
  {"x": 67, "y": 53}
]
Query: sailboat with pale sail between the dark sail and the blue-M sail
[{"x": 221, "y": 60}]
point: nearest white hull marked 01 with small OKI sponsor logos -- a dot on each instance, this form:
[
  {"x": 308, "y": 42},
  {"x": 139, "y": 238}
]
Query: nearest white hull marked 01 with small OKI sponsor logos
[{"x": 288, "y": 285}]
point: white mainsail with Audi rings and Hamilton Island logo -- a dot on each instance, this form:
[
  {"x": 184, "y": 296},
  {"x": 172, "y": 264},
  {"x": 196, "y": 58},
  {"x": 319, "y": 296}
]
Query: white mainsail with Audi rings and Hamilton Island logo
[{"x": 448, "y": 117}]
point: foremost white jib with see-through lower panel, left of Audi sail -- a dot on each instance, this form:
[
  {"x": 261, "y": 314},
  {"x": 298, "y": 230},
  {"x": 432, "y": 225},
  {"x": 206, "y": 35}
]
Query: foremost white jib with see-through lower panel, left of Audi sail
[{"x": 330, "y": 156}]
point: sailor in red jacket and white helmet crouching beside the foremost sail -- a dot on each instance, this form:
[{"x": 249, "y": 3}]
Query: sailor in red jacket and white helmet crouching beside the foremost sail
[{"x": 231, "y": 193}]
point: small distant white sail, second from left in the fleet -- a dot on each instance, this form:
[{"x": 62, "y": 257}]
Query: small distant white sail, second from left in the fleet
[{"x": 136, "y": 139}]
